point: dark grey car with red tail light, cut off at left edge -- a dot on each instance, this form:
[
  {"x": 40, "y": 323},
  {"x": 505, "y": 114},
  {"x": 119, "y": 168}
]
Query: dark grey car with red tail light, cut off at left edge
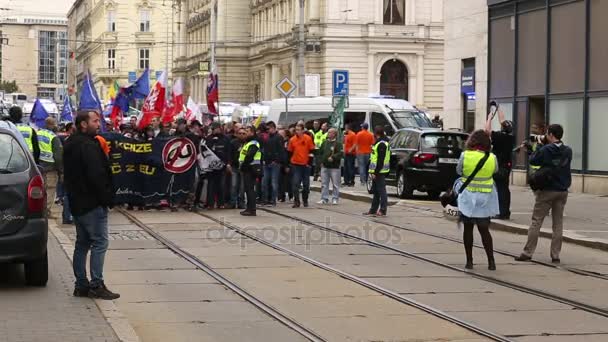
[{"x": 23, "y": 208}]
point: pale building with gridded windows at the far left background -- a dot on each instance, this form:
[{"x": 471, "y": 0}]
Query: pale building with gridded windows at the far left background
[{"x": 35, "y": 55}]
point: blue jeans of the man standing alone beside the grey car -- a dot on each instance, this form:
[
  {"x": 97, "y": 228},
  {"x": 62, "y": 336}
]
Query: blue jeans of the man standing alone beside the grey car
[{"x": 91, "y": 234}]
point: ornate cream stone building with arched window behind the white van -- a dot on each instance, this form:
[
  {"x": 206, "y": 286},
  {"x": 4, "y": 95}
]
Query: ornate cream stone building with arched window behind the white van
[{"x": 390, "y": 47}]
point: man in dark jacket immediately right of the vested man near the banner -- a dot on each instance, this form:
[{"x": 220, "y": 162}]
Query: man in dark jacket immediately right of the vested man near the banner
[{"x": 274, "y": 158}]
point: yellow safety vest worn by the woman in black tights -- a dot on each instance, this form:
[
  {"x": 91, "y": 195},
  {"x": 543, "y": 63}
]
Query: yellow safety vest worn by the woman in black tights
[{"x": 483, "y": 181}]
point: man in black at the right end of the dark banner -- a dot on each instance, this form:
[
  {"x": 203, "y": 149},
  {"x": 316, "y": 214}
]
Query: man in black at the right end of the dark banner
[{"x": 221, "y": 146}]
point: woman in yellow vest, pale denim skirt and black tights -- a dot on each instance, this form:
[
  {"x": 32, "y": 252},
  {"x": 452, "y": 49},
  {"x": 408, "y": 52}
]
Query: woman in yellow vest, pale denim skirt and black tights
[{"x": 479, "y": 200}]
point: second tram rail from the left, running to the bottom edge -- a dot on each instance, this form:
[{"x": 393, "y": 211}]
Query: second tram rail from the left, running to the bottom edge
[{"x": 360, "y": 281}]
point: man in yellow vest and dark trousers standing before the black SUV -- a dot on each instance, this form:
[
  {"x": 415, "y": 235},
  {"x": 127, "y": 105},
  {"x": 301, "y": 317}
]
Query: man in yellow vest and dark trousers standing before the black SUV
[{"x": 379, "y": 167}]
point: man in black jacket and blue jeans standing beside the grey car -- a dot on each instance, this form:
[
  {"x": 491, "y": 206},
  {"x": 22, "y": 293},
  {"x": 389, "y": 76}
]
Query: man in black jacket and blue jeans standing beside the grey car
[{"x": 89, "y": 187}]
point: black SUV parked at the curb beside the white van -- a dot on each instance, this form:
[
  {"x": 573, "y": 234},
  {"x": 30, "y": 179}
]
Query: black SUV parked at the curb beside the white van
[{"x": 425, "y": 160}]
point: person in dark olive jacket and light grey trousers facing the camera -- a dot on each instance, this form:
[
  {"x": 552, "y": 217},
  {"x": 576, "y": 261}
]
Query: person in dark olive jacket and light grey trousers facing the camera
[{"x": 330, "y": 155}]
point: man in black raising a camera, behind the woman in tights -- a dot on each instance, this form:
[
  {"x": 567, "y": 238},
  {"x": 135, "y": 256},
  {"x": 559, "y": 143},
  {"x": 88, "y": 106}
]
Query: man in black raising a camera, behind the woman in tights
[{"x": 503, "y": 142}]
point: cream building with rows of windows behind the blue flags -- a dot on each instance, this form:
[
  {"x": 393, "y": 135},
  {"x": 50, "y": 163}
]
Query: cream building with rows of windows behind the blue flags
[{"x": 116, "y": 40}]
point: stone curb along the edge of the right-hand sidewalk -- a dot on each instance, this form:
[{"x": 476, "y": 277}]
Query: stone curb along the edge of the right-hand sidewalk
[{"x": 498, "y": 225}]
